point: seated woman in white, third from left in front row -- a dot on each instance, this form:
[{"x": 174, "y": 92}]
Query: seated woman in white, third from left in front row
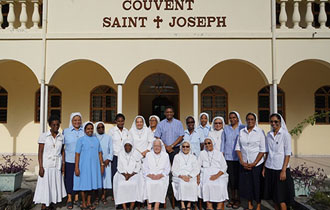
[{"x": 185, "y": 170}]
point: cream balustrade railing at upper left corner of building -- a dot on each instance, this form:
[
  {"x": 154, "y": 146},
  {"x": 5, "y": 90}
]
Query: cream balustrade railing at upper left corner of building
[{"x": 20, "y": 15}]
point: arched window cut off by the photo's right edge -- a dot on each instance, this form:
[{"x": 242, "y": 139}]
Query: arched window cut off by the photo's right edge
[{"x": 322, "y": 103}]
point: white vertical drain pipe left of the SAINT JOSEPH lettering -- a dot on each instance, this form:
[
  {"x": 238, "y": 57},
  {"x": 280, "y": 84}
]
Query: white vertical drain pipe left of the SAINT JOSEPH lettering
[{"x": 43, "y": 89}]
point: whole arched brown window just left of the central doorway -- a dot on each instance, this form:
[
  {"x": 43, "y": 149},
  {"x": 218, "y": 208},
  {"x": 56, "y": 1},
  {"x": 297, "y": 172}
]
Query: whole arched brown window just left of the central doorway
[{"x": 103, "y": 104}]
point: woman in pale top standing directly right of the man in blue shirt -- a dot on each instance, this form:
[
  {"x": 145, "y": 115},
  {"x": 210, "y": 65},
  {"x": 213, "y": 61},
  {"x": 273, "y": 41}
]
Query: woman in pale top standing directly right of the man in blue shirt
[{"x": 194, "y": 136}]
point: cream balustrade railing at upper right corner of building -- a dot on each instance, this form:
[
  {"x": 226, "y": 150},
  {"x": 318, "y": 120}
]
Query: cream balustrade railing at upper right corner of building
[{"x": 303, "y": 14}]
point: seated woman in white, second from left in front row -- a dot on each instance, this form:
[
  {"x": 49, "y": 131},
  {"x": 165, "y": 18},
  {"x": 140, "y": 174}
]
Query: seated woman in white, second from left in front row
[{"x": 156, "y": 169}]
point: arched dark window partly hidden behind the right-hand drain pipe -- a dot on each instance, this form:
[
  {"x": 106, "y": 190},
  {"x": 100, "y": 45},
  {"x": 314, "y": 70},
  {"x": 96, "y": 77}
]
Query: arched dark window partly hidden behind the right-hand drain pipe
[{"x": 264, "y": 104}]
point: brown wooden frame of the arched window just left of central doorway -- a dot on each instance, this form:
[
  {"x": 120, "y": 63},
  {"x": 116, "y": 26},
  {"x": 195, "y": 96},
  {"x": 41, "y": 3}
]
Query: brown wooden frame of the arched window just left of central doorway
[{"x": 103, "y": 108}]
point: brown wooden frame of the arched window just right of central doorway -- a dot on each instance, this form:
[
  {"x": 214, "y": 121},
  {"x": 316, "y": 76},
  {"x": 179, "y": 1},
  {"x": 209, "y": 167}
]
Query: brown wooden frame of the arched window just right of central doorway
[{"x": 213, "y": 108}]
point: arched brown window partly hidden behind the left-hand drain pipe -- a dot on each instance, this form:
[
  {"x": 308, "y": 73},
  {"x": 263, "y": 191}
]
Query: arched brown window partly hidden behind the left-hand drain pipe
[{"x": 54, "y": 103}]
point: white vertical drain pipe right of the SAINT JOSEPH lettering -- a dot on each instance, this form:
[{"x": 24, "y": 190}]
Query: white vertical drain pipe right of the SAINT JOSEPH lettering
[{"x": 273, "y": 89}]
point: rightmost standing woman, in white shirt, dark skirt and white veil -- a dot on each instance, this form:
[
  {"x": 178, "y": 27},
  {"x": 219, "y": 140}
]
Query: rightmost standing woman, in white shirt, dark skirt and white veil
[{"x": 278, "y": 181}]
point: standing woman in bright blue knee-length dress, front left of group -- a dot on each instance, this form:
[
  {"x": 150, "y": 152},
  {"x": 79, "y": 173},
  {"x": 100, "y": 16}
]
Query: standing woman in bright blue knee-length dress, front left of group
[{"x": 88, "y": 165}]
